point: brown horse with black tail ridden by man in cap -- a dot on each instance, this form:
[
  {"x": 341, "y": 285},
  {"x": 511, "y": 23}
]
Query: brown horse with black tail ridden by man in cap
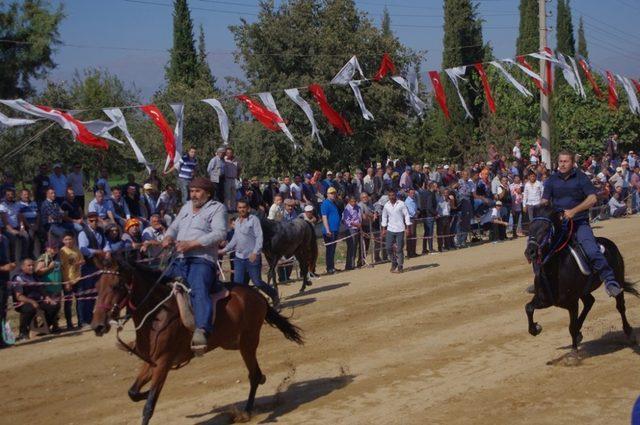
[{"x": 163, "y": 342}]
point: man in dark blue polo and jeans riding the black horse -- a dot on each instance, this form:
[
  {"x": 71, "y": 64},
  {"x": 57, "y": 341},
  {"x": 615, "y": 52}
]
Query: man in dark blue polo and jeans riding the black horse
[{"x": 571, "y": 190}]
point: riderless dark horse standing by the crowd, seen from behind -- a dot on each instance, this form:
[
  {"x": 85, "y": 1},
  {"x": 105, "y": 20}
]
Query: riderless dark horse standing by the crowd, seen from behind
[{"x": 286, "y": 239}]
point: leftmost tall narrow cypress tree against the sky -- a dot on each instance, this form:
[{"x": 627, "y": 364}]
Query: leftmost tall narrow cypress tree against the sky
[{"x": 183, "y": 62}]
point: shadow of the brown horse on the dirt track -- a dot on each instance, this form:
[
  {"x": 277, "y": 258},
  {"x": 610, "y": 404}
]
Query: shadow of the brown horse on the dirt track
[{"x": 281, "y": 403}]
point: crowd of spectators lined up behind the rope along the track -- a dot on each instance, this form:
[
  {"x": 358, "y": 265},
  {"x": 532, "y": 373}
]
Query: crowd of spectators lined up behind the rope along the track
[{"x": 51, "y": 233}]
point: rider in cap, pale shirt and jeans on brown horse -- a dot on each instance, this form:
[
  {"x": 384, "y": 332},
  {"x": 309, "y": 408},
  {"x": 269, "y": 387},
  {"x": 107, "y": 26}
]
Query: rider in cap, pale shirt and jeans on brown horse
[{"x": 196, "y": 231}]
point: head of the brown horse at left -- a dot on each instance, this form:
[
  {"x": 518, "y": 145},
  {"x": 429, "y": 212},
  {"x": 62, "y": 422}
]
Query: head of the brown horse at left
[{"x": 114, "y": 292}]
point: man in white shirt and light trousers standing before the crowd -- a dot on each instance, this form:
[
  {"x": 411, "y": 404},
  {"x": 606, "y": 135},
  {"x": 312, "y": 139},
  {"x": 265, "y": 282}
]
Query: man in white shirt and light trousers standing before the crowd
[{"x": 395, "y": 224}]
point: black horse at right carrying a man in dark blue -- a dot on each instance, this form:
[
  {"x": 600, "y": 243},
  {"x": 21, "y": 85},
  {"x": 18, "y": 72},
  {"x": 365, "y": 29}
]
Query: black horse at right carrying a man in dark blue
[{"x": 559, "y": 280}]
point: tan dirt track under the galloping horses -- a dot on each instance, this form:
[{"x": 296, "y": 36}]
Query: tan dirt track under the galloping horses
[{"x": 446, "y": 342}]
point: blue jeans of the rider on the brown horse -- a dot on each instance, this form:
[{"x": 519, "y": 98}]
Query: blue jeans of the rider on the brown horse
[{"x": 201, "y": 278}]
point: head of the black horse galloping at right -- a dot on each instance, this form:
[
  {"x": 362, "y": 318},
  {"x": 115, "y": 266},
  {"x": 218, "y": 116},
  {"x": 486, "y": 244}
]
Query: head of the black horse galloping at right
[{"x": 542, "y": 230}]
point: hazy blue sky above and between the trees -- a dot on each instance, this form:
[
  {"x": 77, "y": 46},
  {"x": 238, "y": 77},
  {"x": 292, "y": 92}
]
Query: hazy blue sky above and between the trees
[{"x": 131, "y": 38}]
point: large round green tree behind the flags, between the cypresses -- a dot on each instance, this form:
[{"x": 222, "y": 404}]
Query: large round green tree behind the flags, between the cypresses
[{"x": 306, "y": 41}]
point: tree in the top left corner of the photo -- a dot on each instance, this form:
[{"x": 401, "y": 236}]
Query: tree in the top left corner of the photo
[{"x": 29, "y": 35}]
